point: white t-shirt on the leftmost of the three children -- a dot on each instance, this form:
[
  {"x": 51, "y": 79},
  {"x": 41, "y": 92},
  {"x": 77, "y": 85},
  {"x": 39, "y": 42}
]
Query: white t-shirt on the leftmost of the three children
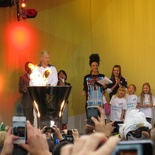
[{"x": 117, "y": 105}]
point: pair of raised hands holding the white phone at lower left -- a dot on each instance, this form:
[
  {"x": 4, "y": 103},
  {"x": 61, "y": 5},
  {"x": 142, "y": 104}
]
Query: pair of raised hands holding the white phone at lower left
[{"x": 36, "y": 142}]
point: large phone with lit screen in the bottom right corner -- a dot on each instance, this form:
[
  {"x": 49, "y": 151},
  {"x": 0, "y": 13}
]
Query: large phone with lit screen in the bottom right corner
[{"x": 135, "y": 147}]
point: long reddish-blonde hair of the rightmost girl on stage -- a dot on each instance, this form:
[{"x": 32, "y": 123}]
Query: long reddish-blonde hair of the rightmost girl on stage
[{"x": 142, "y": 95}]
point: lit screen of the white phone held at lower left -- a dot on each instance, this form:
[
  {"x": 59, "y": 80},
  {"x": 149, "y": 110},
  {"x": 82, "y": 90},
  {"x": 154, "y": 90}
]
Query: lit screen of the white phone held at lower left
[{"x": 19, "y": 128}]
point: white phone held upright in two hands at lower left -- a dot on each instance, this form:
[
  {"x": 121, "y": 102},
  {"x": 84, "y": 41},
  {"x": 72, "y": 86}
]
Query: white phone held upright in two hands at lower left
[{"x": 19, "y": 128}]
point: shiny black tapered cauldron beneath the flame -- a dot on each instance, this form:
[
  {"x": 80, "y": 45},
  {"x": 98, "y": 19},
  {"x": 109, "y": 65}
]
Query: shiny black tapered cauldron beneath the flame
[{"x": 51, "y": 101}]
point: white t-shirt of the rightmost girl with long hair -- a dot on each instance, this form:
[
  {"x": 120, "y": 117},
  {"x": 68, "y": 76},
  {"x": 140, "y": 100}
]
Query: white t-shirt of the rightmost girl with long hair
[{"x": 147, "y": 111}]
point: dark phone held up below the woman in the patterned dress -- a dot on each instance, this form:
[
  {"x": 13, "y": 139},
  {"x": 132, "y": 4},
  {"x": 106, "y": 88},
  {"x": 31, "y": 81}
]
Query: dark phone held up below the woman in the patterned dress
[{"x": 92, "y": 111}]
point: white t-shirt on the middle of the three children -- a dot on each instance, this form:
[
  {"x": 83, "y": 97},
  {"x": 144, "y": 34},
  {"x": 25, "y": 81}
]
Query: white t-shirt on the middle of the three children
[{"x": 131, "y": 100}]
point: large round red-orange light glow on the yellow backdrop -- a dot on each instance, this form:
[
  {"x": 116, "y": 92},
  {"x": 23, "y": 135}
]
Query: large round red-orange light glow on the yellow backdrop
[{"x": 20, "y": 40}]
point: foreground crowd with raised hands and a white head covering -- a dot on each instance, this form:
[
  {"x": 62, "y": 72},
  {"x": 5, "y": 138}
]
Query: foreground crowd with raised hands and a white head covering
[{"x": 96, "y": 140}]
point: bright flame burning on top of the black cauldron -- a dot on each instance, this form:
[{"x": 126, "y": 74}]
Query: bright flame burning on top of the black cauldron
[{"x": 37, "y": 78}]
